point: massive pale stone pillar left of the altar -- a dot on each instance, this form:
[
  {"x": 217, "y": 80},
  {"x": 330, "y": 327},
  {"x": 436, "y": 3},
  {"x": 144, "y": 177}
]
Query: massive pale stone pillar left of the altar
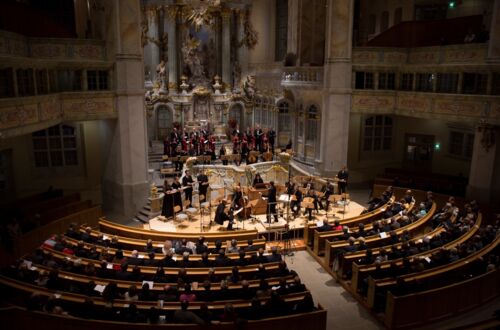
[{"x": 125, "y": 182}]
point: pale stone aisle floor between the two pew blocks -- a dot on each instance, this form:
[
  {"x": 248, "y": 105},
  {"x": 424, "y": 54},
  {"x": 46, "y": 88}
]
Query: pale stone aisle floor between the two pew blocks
[{"x": 344, "y": 312}]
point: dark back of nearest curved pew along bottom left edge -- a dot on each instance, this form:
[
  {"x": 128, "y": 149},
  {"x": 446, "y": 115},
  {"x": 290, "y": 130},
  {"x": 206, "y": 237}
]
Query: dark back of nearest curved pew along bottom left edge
[{"x": 21, "y": 319}]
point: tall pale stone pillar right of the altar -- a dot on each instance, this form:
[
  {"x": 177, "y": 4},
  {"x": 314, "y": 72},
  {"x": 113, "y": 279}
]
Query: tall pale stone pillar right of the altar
[{"x": 337, "y": 86}]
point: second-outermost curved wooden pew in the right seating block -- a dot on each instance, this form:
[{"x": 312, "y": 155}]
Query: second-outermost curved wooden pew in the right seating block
[{"x": 433, "y": 274}]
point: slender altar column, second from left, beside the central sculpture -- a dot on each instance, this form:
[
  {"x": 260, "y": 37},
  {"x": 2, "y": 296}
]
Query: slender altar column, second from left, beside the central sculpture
[{"x": 170, "y": 23}]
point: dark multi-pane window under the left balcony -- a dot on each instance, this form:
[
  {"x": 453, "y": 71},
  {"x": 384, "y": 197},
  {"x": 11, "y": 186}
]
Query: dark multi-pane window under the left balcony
[{"x": 55, "y": 146}]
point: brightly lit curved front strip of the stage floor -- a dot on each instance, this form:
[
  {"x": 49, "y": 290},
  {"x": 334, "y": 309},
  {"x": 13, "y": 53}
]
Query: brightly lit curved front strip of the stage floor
[{"x": 259, "y": 222}]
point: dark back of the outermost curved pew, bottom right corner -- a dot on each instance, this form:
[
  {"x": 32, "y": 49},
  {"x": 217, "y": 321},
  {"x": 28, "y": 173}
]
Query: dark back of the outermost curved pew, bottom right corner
[{"x": 419, "y": 309}]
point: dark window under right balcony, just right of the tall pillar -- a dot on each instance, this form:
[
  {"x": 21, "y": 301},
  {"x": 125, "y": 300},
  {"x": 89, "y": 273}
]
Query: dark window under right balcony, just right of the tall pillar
[{"x": 377, "y": 133}]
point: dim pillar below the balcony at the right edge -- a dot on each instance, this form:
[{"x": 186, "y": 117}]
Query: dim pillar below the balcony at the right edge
[{"x": 484, "y": 176}]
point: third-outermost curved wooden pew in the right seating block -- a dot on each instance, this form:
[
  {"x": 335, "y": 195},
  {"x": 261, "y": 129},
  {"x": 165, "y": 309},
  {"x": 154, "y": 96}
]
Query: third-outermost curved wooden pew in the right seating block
[{"x": 361, "y": 272}]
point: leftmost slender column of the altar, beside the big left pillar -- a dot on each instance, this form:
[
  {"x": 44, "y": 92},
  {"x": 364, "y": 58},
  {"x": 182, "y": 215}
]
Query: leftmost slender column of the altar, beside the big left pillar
[{"x": 151, "y": 49}]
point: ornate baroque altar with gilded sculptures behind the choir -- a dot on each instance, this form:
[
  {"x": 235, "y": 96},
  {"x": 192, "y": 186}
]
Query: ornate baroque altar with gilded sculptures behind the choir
[{"x": 195, "y": 55}]
